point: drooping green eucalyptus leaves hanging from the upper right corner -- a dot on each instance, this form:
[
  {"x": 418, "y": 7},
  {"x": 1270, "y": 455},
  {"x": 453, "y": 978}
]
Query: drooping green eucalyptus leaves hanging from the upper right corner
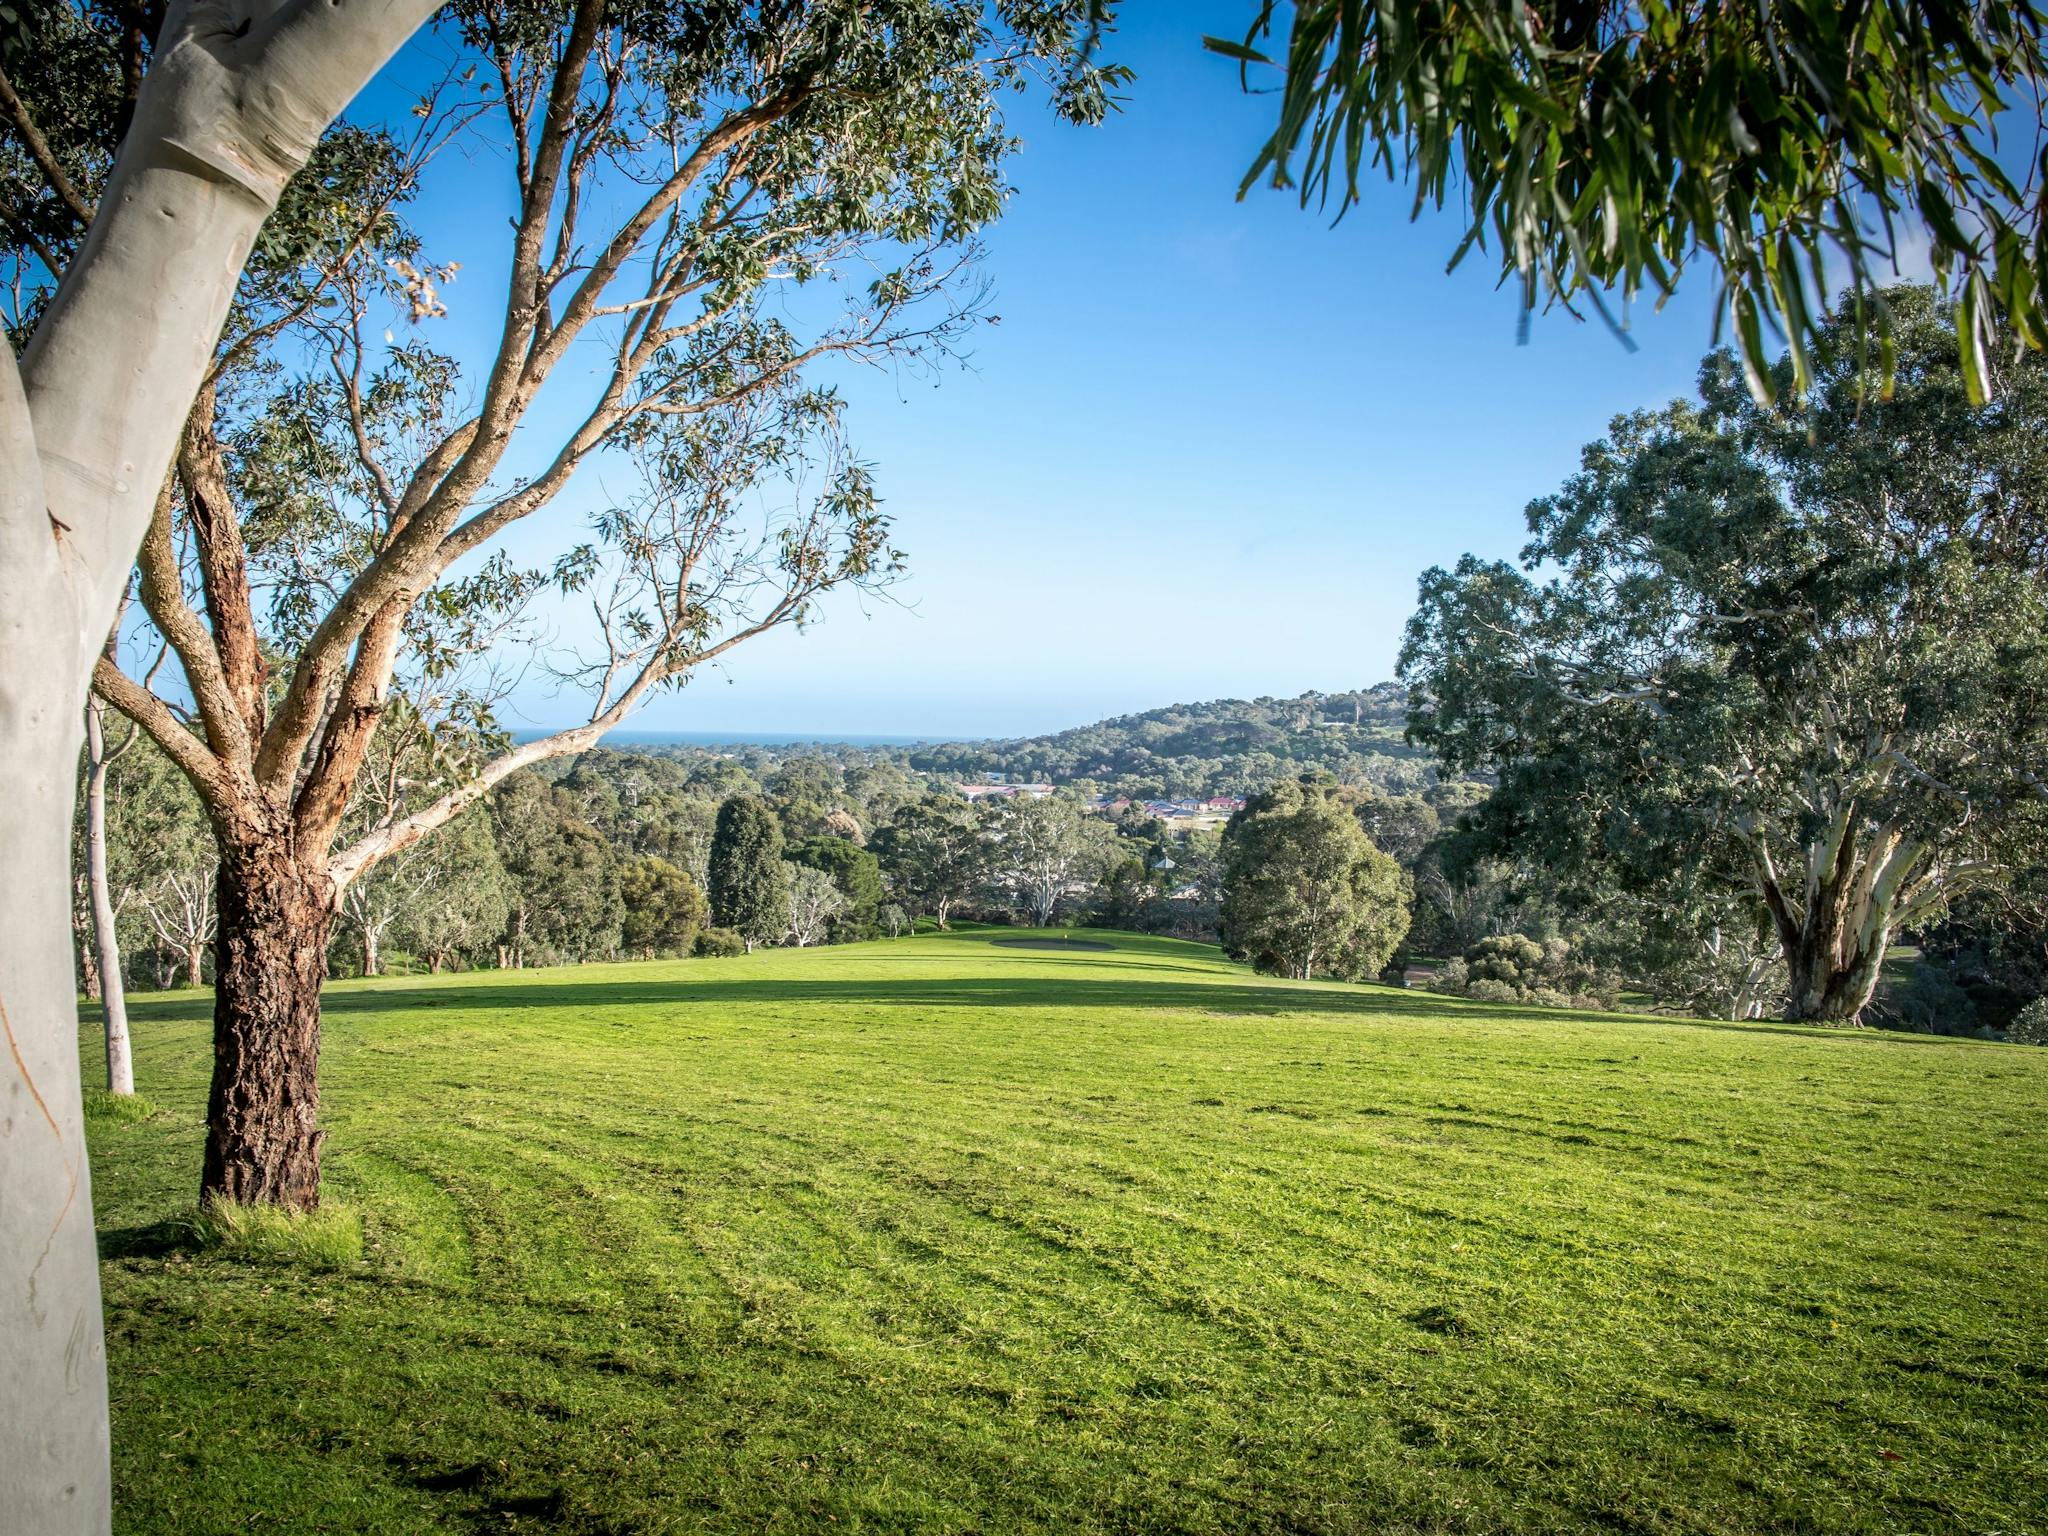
[{"x": 1603, "y": 146}]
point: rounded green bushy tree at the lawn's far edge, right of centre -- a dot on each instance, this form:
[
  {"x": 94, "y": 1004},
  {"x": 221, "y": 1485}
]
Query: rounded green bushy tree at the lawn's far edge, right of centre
[{"x": 1304, "y": 888}]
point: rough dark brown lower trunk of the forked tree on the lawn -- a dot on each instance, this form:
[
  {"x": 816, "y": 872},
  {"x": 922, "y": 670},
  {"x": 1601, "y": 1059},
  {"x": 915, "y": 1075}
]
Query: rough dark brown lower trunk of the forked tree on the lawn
[{"x": 263, "y": 1144}]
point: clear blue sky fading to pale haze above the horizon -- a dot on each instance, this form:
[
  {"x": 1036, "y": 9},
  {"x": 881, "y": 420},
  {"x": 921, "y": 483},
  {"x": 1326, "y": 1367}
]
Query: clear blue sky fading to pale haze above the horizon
[{"x": 1205, "y": 454}]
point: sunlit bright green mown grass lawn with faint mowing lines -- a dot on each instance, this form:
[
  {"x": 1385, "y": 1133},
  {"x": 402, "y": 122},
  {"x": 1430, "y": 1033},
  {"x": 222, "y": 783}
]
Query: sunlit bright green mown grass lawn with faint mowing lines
[{"x": 951, "y": 1238}]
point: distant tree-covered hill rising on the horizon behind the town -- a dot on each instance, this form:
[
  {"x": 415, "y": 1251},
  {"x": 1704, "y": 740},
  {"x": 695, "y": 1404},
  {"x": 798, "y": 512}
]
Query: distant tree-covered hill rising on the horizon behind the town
[{"x": 1228, "y": 746}]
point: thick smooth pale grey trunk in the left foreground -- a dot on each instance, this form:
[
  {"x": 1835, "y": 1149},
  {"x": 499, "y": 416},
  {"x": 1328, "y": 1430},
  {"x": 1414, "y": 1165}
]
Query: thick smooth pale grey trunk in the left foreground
[{"x": 232, "y": 108}]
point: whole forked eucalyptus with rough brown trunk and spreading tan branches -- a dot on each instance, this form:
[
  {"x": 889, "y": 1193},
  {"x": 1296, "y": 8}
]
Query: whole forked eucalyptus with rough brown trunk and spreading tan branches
[{"x": 675, "y": 175}]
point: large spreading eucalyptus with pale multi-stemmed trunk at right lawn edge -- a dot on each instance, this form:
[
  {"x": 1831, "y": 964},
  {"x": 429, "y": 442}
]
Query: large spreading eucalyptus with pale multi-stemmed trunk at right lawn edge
[{"x": 1789, "y": 656}]
